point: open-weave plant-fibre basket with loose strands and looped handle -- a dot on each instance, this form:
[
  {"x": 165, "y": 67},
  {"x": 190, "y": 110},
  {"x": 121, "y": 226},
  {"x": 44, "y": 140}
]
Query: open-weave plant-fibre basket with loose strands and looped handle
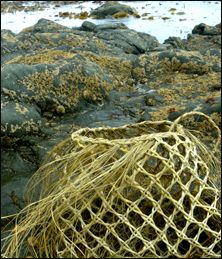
[{"x": 141, "y": 190}]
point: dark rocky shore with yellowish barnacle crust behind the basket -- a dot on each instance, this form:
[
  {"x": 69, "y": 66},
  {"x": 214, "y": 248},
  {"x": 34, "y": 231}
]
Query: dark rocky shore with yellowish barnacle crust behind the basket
[{"x": 56, "y": 80}]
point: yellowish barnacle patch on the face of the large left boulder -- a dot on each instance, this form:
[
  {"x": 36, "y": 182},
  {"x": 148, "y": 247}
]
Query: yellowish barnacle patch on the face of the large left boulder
[{"x": 42, "y": 84}]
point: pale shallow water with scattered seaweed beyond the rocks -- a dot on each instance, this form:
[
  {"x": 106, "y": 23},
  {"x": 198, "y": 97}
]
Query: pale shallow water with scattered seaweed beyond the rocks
[{"x": 179, "y": 25}]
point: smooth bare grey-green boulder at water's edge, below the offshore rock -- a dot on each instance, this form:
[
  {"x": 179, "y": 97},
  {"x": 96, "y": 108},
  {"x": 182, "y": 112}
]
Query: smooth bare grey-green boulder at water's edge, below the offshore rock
[{"x": 128, "y": 40}]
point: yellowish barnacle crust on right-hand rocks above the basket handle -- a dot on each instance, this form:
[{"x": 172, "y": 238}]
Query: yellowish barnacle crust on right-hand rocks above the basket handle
[{"x": 171, "y": 80}]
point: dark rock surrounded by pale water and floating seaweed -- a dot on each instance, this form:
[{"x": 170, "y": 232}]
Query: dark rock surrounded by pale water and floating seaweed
[{"x": 111, "y": 8}]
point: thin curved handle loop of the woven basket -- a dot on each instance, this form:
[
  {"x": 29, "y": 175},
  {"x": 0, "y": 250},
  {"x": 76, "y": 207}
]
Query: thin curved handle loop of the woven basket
[{"x": 189, "y": 114}]
